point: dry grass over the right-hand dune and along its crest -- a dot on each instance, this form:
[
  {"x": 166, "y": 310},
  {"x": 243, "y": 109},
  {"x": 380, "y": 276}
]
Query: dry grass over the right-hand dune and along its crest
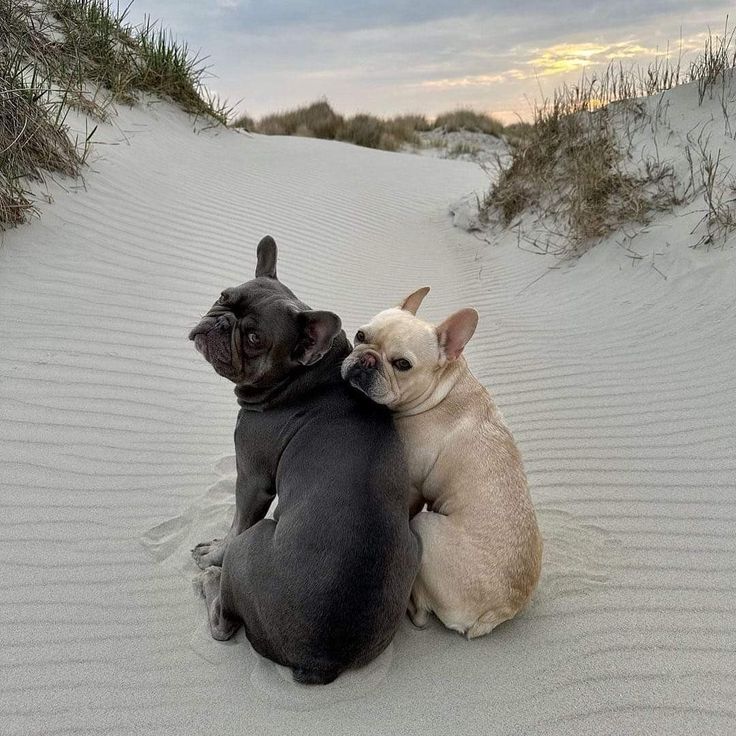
[{"x": 572, "y": 169}]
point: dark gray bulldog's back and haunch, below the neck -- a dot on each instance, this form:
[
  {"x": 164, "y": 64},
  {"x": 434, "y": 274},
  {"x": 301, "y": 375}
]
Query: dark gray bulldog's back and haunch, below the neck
[{"x": 324, "y": 586}]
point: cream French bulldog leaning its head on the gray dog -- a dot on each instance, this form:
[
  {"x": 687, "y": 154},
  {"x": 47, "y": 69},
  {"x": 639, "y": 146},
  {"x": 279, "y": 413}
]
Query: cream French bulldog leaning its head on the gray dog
[{"x": 482, "y": 550}]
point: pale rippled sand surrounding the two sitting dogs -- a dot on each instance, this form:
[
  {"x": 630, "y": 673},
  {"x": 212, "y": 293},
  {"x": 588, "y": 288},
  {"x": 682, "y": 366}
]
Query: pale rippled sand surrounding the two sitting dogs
[{"x": 116, "y": 454}]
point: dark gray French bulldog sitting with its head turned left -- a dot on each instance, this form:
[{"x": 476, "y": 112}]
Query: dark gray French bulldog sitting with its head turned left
[{"x": 321, "y": 587}]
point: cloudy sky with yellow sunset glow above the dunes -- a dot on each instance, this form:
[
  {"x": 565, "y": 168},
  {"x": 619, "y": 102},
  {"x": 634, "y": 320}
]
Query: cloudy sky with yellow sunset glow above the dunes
[{"x": 390, "y": 57}]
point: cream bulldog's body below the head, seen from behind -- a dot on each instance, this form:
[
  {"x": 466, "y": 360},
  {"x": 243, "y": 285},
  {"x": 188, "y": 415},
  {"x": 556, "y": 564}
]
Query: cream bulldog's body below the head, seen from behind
[{"x": 482, "y": 550}]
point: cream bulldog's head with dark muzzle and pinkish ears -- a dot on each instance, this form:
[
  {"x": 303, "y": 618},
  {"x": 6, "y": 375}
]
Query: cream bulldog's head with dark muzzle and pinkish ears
[{"x": 399, "y": 360}]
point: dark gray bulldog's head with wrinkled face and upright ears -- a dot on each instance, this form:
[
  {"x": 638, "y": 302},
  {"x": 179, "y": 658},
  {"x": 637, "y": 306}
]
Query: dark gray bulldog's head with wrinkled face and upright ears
[{"x": 257, "y": 333}]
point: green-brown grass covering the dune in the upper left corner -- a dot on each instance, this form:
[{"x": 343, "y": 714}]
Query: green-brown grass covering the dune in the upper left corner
[{"x": 51, "y": 53}]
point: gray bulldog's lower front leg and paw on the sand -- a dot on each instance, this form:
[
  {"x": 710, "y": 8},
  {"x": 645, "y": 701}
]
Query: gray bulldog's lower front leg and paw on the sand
[{"x": 253, "y": 497}]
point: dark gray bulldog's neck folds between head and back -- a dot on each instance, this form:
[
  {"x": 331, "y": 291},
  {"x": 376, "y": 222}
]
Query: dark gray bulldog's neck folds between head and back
[{"x": 297, "y": 383}]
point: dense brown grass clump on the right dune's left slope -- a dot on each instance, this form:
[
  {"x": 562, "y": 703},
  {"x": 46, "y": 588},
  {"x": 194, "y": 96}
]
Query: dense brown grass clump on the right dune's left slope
[{"x": 569, "y": 167}]
